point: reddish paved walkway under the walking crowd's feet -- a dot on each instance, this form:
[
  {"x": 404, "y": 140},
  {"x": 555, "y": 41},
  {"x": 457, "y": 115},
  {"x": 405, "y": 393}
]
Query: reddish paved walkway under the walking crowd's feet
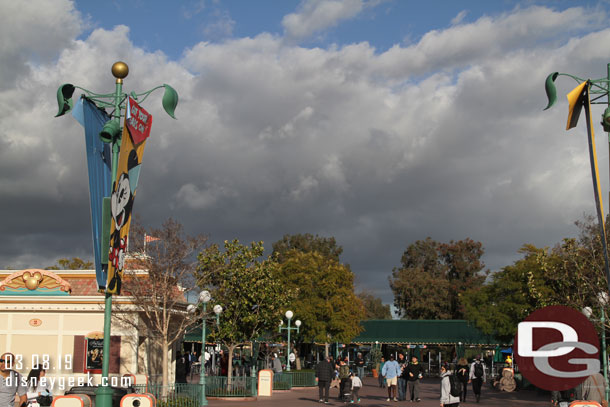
[{"x": 373, "y": 396}]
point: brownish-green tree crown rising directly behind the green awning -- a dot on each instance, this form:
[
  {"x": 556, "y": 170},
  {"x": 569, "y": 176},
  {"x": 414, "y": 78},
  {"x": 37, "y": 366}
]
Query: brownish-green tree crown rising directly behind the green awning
[{"x": 433, "y": 276}]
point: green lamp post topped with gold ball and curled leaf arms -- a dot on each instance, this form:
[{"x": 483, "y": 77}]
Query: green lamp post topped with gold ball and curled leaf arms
[{"x": 111, "y": 133}]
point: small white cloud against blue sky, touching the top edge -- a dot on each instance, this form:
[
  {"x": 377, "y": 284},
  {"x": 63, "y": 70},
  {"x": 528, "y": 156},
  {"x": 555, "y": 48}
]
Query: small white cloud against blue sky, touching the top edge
[{"x": 317, "y": 15}]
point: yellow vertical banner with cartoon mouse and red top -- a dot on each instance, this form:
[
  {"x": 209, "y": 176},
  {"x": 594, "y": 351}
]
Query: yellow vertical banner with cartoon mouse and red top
[{"x": 137, "y": 120}]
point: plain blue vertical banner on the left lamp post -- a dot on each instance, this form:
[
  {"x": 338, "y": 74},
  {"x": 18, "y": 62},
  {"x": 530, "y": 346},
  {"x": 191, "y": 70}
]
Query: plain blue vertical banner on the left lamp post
[{"x": 100, "y": 179}]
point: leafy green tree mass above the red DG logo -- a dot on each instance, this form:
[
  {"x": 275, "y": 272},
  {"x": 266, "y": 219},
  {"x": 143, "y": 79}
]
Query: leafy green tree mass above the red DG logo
[{"x": 571, "y": 273}]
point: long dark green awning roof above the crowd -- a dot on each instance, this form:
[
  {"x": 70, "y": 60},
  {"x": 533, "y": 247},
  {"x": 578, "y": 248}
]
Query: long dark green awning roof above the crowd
[{"x": 438, "y": 332}]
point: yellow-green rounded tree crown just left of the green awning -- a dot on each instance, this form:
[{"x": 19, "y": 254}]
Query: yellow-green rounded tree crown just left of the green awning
[{"x": 326, "y": 302}]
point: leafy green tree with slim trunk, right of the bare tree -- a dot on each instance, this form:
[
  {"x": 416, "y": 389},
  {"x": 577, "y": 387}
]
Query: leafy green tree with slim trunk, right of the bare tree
[{"x": 253, "y": 300}]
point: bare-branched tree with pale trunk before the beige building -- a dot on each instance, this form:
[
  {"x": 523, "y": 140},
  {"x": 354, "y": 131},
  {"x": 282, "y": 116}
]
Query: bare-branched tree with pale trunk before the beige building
[{"x": 169, "y": 264}]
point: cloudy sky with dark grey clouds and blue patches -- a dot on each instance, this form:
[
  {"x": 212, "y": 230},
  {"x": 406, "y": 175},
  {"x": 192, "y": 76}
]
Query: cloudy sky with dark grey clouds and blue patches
[{"x": 378, "y": 123}]
